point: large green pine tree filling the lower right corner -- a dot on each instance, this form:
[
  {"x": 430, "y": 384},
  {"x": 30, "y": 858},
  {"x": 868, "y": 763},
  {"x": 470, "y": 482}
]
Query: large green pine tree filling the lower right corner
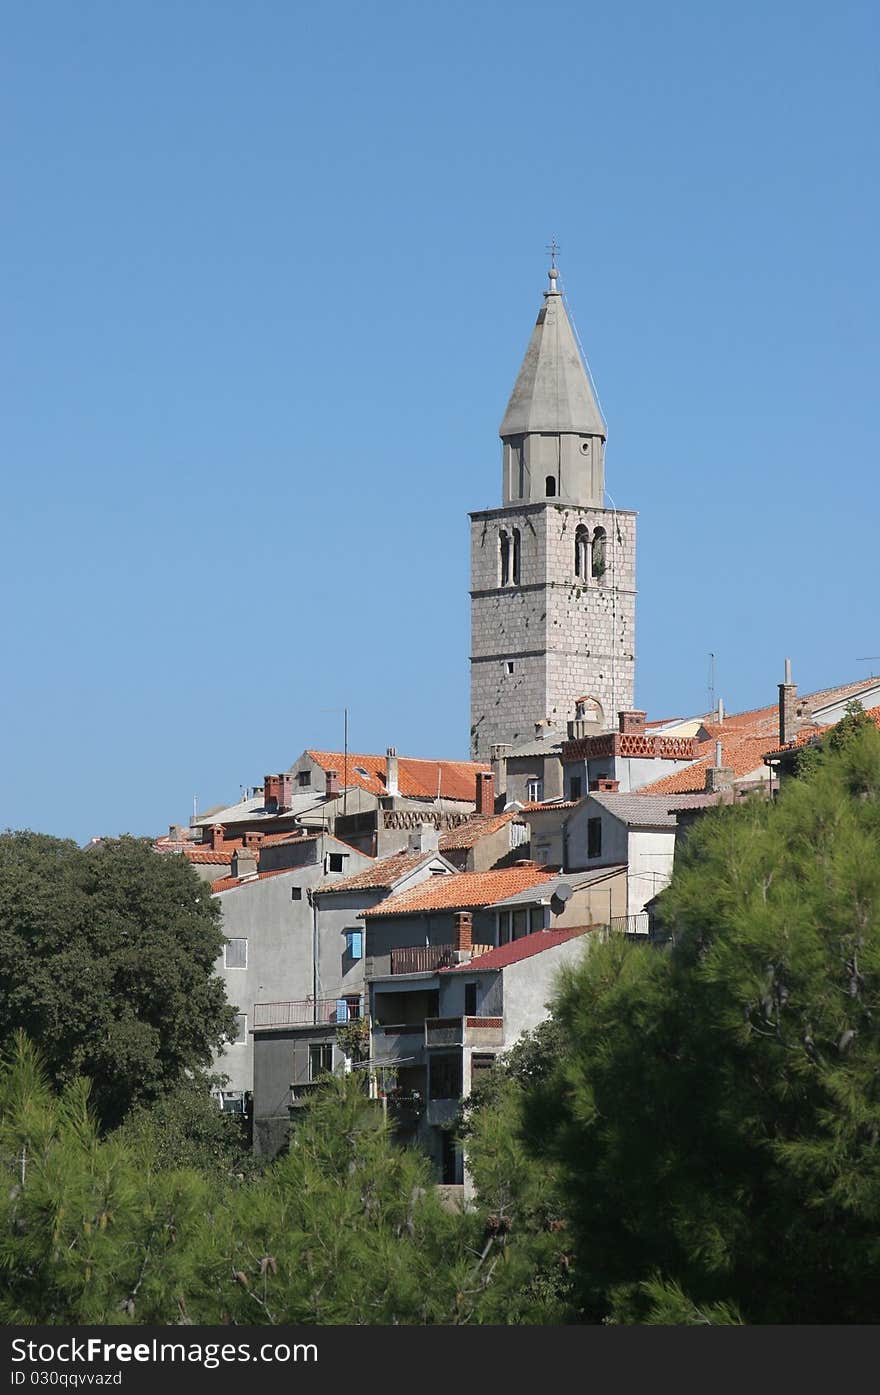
[{"x": 716, "y": 1113}]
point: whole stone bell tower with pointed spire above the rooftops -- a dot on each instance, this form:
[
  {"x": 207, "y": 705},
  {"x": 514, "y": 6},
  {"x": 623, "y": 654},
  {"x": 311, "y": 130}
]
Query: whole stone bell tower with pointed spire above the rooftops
[{"x": 553, "y": 570}]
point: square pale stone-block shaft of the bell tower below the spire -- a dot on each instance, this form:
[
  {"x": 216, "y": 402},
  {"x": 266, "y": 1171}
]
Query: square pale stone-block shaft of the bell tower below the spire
[{"x": 566, "y": 635}]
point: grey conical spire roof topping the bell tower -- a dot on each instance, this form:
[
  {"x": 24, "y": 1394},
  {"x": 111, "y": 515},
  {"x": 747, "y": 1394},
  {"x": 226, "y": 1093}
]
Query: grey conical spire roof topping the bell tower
[{"x": 553, "y": 393}]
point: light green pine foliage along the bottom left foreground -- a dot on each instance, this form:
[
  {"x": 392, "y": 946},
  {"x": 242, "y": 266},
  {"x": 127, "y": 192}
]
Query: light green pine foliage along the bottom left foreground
[{"x": 347, "y": 1228}]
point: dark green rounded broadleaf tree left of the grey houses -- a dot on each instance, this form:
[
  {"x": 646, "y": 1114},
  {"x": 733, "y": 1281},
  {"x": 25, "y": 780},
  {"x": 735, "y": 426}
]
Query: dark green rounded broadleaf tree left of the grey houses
[{"x": 107, "y": 960}]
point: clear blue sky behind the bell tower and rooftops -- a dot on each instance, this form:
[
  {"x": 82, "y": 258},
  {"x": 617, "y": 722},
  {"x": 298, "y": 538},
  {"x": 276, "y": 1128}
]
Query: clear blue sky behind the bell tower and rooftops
[{"x": 268, "y": 273}]
